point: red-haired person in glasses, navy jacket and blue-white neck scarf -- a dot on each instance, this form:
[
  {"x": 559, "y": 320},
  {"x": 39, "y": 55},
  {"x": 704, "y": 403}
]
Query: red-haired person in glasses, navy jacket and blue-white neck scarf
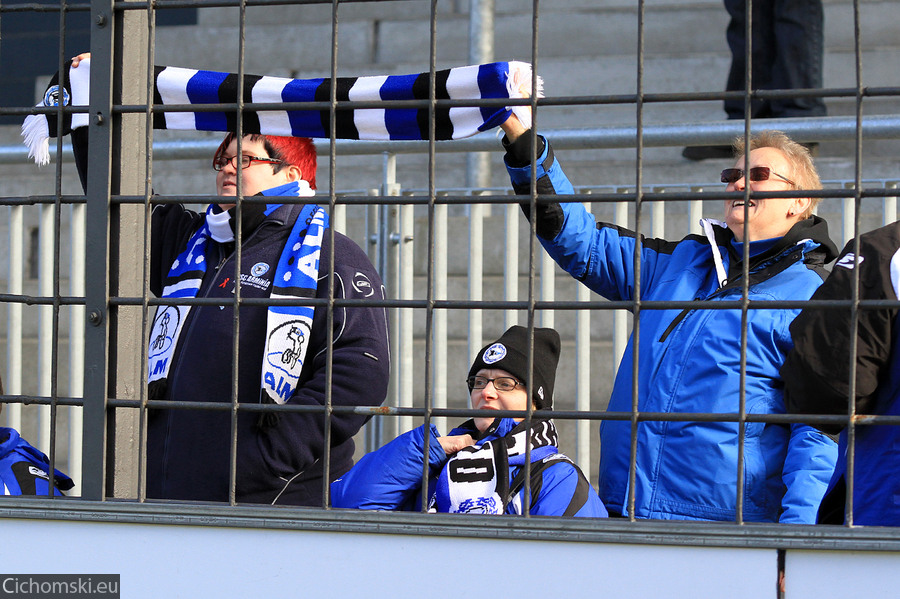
[{"x": 283, "y": 351}]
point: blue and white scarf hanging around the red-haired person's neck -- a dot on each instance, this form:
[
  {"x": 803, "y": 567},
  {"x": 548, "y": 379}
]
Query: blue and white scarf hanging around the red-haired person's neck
[{"x": 296, "y": 276}]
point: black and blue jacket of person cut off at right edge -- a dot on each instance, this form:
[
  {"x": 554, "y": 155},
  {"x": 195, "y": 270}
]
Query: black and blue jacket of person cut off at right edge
[{"x": 817, "y": 375}]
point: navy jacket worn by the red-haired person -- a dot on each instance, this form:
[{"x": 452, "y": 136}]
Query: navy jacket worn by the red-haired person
[{"x": 279, "y": 460}]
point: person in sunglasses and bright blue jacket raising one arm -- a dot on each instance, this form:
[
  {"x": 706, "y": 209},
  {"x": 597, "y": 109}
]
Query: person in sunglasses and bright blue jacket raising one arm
[{"x": 690, "y": 358}]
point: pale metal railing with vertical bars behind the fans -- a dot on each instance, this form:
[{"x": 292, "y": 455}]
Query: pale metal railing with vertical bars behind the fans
[{"x": 390, "y": 238}]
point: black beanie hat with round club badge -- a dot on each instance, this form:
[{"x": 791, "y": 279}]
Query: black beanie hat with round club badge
[{"x": 510, "y": 353}]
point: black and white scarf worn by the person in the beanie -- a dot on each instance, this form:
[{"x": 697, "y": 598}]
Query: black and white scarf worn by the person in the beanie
[{"x": 476, "y": 480}]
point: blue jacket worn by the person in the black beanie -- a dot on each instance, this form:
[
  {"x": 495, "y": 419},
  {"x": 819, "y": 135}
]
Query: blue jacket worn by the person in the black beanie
[{"x": 390, "y": 478}]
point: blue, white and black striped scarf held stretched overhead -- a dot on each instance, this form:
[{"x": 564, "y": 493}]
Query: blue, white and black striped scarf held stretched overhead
[{"x": 174, "y": 86}]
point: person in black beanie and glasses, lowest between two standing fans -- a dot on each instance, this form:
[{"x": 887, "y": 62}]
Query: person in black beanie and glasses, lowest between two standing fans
[{"x": 478, "y": 467}]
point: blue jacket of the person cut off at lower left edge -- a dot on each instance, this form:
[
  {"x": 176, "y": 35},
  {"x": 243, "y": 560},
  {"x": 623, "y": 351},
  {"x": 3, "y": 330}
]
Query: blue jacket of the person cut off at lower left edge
[{"x": 24, "y": 469}]
